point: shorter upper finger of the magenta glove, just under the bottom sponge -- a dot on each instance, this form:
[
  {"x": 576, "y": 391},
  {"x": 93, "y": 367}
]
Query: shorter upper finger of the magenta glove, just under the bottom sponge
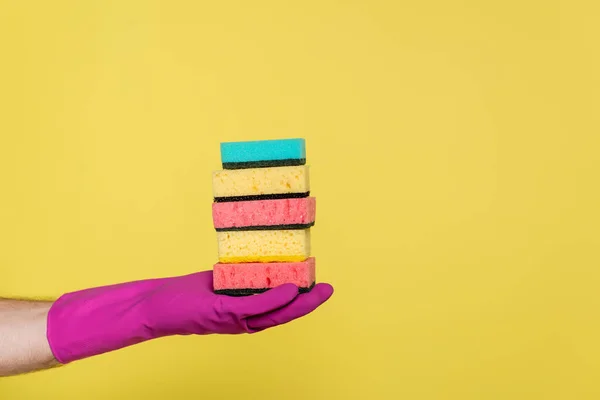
[{"x": 263, "y": 303}]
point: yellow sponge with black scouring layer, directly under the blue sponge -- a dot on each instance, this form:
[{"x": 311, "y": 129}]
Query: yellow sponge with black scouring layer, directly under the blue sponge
[{"x": 261, "y": 183}]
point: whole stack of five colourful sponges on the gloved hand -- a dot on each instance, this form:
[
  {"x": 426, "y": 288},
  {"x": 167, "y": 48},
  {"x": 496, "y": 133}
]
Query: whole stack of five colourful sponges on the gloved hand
[{"x": 263, "y": 214}]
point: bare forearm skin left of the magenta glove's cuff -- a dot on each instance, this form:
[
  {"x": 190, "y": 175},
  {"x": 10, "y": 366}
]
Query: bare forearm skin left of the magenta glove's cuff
[{"x": 23, "y": 342}]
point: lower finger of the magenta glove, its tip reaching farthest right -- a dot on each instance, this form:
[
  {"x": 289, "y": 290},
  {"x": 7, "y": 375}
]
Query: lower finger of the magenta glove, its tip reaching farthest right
[{"x": 299, "y": 307}]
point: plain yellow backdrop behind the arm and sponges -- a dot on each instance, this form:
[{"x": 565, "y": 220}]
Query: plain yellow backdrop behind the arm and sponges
[{"x": 454, "y": 153}]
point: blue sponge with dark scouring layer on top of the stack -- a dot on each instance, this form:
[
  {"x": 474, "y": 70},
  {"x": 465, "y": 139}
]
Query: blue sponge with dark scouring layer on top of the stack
[{"x": 263, "y": 153}]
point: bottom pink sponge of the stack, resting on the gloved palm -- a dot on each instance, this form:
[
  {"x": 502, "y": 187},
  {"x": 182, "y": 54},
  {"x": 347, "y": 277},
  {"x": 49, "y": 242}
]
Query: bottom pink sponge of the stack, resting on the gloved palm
[{"x": 248, "y": 278}]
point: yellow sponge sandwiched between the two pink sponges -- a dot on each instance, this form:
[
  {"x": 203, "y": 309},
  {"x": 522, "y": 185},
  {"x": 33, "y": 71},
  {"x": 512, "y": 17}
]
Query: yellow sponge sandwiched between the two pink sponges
[{"x": 264, "y": 246}]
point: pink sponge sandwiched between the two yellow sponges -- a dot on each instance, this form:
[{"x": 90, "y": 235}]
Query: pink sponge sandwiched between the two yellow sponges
[{"x": 264, "y": 214}]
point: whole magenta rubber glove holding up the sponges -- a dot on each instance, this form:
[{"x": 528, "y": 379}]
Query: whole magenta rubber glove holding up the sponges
[{"x": 98, "y": 320}]
